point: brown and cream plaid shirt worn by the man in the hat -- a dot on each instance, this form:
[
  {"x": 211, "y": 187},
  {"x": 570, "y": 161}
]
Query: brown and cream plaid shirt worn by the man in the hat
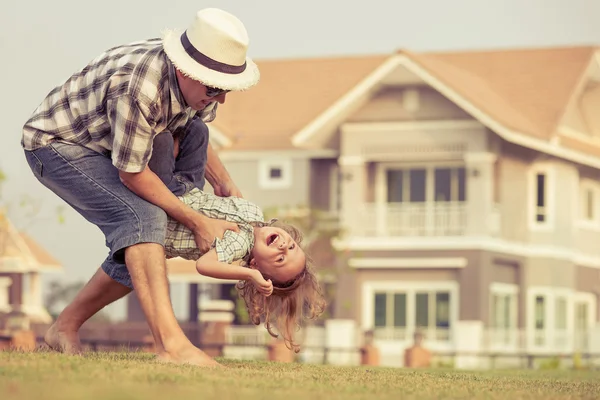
[{"x": 116, "y": 105}]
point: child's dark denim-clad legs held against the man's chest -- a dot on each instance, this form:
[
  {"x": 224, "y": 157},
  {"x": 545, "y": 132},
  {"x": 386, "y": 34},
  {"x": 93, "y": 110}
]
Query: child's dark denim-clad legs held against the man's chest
[{"x": 187, "y": 170}]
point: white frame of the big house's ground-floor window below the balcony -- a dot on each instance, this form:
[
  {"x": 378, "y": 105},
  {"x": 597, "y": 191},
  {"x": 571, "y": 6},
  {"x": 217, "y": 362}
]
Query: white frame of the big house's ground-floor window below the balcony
[{"x": 369, "y": 289}]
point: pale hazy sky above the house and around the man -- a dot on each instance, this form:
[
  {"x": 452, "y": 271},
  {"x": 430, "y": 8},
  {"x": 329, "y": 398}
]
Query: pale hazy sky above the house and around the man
[{"x": 43, "y": 42}]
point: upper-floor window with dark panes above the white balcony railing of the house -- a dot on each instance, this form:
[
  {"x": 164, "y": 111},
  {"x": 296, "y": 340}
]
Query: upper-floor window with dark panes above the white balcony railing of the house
[{"x": 412, "y": 185}]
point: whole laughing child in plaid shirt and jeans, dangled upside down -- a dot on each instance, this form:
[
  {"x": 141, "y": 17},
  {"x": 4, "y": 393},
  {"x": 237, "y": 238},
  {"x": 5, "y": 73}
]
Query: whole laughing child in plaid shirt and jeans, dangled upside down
[{"x": 275, "y": 276}]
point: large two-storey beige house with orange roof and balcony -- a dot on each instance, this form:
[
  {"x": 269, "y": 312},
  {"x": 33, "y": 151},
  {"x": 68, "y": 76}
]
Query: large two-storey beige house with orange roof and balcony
[{"x": 466, "y": 185}]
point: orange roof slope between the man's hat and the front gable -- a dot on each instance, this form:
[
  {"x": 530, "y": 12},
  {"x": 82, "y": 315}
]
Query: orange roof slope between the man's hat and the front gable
[{"x": 290, "y": 94}]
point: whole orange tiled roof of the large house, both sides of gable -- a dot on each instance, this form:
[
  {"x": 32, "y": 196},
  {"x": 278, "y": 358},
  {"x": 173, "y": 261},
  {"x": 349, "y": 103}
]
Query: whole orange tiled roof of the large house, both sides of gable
[{"x": 525, "y": 90}]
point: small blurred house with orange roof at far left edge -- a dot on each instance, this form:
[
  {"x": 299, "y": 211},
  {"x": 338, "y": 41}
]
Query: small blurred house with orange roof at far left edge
[{"x": 22, "y": 261}]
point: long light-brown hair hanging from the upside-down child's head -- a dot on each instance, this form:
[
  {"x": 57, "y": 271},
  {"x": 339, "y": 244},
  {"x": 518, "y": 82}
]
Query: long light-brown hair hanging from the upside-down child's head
[{"x": 290, "y": 303}]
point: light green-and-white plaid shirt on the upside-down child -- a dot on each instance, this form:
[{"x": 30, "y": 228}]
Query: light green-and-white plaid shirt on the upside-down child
[{"x": 234, "y": 245}]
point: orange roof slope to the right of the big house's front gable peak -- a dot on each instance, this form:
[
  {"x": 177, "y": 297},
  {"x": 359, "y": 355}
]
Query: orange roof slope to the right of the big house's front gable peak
[{"x": 526, "y": 90}]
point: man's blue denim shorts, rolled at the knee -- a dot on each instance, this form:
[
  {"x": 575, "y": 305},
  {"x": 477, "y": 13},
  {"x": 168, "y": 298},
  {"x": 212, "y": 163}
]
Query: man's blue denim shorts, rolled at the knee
[{"x": 89, "y": 183}]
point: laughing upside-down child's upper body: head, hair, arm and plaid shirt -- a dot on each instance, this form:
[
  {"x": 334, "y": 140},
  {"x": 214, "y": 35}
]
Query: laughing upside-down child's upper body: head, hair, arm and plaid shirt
[{"x": 275, "y": 276}]
